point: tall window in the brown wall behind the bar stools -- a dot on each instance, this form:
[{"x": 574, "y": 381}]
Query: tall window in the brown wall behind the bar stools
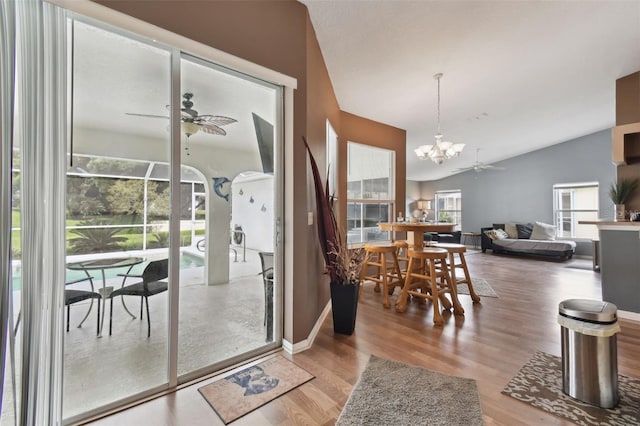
[{"x": 370, "y": 192}]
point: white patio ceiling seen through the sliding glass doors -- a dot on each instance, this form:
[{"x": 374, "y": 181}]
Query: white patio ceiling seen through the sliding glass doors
[{"x": 115, "y": 75}]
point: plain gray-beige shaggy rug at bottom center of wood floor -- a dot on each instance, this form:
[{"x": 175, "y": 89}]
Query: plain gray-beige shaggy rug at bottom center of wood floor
[{"x": 393, "y": 393}]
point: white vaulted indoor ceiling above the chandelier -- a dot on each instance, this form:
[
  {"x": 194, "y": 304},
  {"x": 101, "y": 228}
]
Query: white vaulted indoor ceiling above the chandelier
[{"x": 518, "y": 75}]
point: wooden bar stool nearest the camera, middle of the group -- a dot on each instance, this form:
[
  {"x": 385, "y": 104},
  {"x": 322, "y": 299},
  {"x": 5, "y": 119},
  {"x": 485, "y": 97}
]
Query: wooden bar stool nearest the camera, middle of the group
[{"x": 429, "y": 283}]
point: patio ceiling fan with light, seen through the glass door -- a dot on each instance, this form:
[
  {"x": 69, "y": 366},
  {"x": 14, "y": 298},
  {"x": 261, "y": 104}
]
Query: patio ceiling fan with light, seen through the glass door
[{"x": 191, "y": 123}]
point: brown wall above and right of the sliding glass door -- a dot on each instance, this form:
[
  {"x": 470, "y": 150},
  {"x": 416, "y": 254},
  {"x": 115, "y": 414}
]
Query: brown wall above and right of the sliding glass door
[{"x": 279, "y": 35}]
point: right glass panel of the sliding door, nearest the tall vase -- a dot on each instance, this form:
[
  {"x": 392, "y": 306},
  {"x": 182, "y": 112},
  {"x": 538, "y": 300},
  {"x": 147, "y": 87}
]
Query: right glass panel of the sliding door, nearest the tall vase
[{"x": 228, "y": 133}]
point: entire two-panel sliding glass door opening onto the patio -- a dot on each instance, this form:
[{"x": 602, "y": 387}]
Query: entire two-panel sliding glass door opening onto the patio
[{"x": 200, "y": 206}]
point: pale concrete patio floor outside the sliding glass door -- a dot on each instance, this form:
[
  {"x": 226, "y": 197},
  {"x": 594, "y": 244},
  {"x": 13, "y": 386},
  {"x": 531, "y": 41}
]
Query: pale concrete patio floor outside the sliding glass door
[{"x": 216, "y": 322}]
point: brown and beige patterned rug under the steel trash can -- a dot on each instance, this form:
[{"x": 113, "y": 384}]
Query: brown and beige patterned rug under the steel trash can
[{"x": 539, "y": 383}]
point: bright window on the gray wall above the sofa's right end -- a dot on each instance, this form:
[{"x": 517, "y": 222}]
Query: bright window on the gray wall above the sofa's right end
[{"x": 573, "y": 202}]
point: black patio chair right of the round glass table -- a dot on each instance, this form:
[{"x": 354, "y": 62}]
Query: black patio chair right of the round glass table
[{"x": 154, "y": 272}]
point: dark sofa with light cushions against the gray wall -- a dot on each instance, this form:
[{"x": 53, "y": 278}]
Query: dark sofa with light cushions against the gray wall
[{"x": 530, "y": 239}]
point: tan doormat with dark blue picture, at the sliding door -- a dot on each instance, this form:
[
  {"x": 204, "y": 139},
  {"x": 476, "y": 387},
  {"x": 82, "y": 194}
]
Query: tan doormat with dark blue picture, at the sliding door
[{"x": 241, "y": 392}]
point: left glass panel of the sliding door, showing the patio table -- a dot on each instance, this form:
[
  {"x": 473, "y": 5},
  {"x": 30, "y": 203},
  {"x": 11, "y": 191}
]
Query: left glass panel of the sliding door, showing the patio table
[{"x": 117, "y": 217}]
